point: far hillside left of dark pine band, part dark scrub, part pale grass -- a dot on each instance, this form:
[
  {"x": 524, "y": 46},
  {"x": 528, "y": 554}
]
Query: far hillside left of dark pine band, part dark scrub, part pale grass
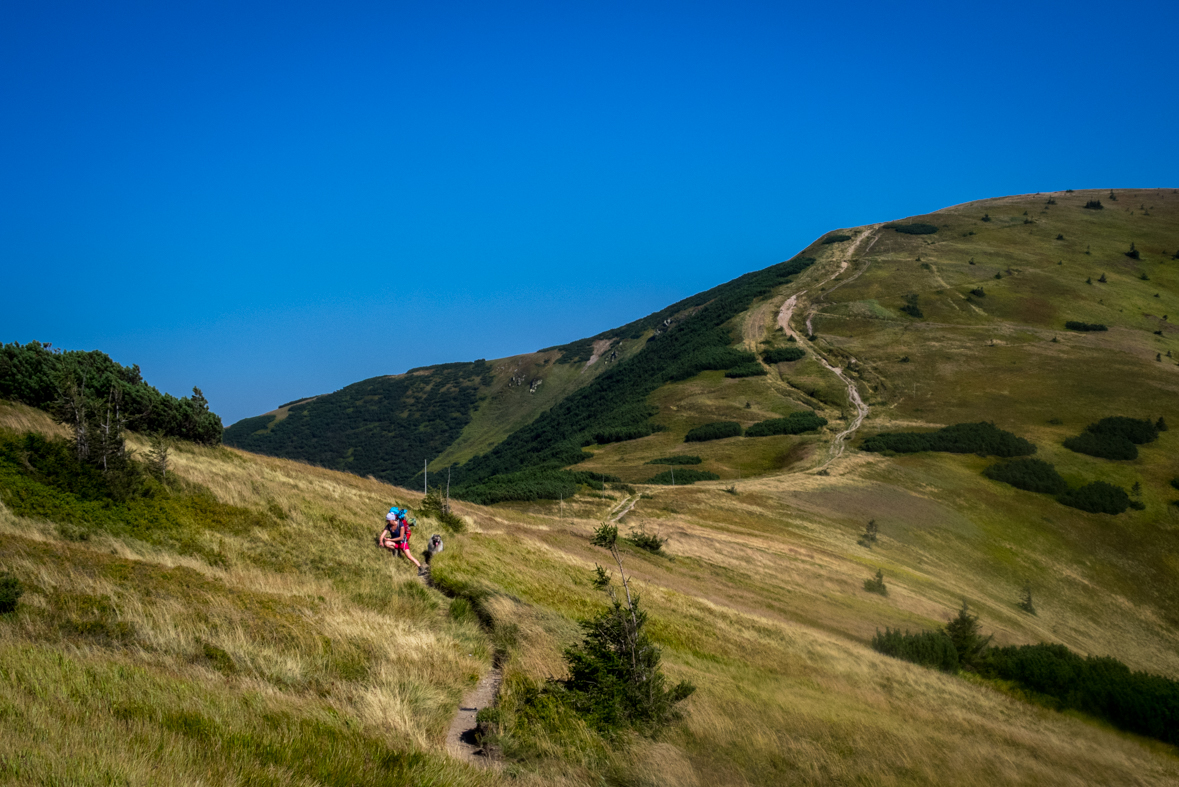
[{"x": 387, "y": 427}]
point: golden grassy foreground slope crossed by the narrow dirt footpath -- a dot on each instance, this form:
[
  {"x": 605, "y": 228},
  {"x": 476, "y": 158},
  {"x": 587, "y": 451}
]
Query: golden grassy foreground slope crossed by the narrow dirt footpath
[{"x": 299, "y": 639}]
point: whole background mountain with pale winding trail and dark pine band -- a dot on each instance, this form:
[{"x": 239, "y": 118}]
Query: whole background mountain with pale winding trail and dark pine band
[{"x": 958, "y": 316}]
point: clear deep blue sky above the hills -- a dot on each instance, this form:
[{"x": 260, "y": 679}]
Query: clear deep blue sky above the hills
[{"x": 276, "y": 201}]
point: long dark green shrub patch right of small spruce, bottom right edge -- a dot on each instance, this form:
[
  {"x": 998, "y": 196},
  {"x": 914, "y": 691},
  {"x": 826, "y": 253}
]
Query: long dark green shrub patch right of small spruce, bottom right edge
[{"x": 1104, "y": 687}]
